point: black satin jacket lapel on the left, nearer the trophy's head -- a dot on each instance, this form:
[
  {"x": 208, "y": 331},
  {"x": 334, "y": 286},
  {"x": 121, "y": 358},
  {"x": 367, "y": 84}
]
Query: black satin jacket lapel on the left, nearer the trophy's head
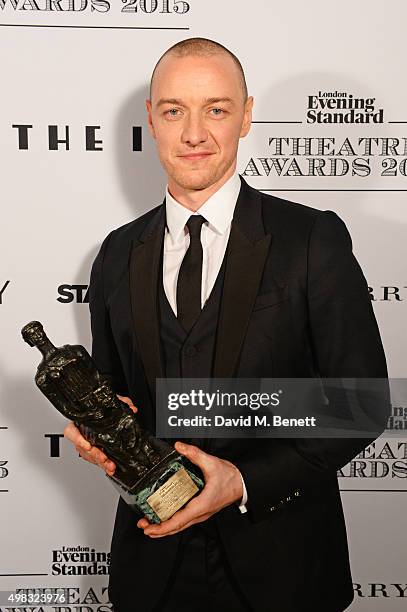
[{"x": 145, "y": 273}]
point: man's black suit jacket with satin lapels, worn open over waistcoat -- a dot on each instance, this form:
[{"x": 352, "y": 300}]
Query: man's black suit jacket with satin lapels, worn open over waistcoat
[{"x": 295, "y": 303}]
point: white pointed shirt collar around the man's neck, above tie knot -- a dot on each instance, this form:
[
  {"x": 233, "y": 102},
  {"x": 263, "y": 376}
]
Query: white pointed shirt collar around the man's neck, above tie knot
[{"x": 218, "y": 209}]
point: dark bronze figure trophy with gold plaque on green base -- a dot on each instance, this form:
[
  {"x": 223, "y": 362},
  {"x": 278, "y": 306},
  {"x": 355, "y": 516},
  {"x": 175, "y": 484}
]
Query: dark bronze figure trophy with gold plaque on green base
[{"x": 151, "y": 476}]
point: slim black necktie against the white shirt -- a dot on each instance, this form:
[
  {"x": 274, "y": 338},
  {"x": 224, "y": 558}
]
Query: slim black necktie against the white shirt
[{"x": 190, "y": 276}]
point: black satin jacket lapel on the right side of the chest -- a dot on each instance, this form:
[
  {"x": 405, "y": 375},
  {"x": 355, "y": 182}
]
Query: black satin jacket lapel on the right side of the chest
[{"x": 245, "y": 258}]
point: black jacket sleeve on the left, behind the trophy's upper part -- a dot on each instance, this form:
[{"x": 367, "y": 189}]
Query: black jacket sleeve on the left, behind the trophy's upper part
[{"x": 104, "y": 350}]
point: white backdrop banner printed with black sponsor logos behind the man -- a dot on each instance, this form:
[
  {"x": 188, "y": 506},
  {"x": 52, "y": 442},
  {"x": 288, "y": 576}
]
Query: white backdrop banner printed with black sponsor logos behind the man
[{"x": 329, "y": 130}]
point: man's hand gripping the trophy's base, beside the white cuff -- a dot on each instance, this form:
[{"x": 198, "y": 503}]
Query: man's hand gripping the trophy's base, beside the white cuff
[{"x": 223, "y": 486}]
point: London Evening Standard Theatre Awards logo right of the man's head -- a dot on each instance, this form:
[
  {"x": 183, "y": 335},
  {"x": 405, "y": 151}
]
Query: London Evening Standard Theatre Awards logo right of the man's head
[{"x": 337, "y": 154}]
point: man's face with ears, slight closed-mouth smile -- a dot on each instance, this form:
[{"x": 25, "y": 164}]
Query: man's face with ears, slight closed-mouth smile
[{"x": 197, "y": 115}]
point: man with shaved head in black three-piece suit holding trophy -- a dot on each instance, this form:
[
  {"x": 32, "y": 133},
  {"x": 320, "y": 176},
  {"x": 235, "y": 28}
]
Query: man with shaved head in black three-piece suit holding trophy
[{"x": 270, "y": 289}]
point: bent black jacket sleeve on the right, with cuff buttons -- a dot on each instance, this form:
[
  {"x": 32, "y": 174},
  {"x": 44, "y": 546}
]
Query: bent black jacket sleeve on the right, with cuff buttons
[{"x": 345, "y": 342}]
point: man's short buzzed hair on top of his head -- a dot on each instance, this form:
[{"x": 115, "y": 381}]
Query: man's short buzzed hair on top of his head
[{"x": 202, "y": 47}]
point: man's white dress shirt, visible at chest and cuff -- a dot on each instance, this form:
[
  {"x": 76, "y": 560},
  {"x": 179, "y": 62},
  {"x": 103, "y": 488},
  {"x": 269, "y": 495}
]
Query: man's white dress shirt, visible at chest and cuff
[{"x": 218, "y": 211}]
